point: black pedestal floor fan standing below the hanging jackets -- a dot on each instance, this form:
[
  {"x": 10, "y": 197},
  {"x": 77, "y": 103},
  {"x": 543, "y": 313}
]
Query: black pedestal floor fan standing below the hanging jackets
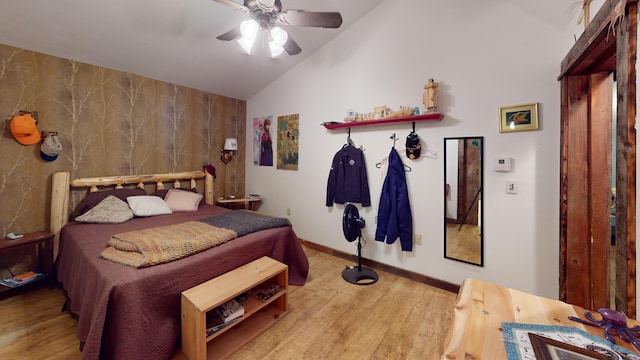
[{"x": 352, "y": 225}]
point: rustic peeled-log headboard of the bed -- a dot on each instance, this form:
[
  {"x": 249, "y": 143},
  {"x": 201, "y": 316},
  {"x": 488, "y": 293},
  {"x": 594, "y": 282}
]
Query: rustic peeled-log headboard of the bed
[{"x": 61, "y": 186}]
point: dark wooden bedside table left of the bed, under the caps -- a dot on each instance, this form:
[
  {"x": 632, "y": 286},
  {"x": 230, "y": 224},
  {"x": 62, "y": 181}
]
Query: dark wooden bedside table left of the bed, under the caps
[{"x": 43, "y": 240}]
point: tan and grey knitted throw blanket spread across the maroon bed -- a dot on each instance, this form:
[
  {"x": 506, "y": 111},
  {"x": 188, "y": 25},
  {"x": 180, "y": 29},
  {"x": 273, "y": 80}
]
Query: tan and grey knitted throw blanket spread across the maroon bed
[{"x": 157, "y": 245}]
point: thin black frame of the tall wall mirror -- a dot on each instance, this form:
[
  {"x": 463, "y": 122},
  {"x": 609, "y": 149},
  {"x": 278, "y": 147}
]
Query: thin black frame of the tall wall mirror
[{"x": 478, "y": 197}]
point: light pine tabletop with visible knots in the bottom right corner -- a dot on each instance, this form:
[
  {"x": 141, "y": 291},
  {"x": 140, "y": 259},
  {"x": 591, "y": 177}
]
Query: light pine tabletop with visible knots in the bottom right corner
[{"x": 481, "y": 307}]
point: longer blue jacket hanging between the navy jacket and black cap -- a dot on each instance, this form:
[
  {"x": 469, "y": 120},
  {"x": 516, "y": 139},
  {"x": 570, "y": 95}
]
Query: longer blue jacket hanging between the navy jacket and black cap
[{"x": 394, "y": 213}]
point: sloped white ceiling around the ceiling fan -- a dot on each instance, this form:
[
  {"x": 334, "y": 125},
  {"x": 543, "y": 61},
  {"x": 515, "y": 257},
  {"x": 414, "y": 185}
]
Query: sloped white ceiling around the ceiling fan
[{"x": 175, "y": 41}]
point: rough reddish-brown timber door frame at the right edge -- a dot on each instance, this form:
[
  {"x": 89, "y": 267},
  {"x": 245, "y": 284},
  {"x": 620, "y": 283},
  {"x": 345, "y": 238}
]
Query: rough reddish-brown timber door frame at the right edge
[{"x": 609, "y": 44}]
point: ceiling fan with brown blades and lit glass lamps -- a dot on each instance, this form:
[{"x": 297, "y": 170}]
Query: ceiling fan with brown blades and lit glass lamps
[{"x": 266, "y": 15}]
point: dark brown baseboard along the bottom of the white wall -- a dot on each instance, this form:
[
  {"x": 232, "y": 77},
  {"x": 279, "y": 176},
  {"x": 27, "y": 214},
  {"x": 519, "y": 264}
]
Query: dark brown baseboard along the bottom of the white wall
[{"x": 440, "y": 284}]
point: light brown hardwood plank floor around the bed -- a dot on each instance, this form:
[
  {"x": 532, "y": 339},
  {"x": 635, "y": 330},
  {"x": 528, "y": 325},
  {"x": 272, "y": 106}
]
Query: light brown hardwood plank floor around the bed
[{"x": 328, "y": 318}]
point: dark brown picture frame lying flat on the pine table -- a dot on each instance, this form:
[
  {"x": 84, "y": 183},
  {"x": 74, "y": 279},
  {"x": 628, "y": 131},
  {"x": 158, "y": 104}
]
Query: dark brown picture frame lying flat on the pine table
[{"x": 549, "y": 349}]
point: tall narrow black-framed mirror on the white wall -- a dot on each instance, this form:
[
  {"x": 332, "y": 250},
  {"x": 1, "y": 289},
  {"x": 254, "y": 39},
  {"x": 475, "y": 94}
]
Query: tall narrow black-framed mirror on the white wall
[{"x": 463, "y": 201}]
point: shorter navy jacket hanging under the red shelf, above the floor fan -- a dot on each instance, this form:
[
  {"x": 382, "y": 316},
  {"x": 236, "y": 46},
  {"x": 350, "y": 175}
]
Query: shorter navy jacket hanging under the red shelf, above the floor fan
[{"x": 348, "y": 178}]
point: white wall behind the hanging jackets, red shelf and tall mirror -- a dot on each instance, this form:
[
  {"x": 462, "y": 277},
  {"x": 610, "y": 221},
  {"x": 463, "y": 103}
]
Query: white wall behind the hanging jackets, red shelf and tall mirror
[{"x": 484, "y": 55}]
